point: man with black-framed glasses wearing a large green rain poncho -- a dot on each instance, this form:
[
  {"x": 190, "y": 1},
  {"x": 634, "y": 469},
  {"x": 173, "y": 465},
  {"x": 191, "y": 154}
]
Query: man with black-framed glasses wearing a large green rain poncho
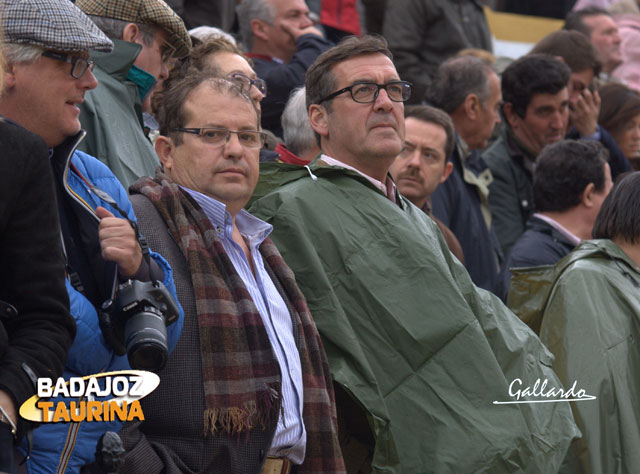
[{"x": 412, "y": 343}]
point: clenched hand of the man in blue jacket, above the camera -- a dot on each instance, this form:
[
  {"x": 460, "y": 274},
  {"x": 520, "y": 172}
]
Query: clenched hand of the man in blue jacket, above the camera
[{"x": 119, "y": 243}]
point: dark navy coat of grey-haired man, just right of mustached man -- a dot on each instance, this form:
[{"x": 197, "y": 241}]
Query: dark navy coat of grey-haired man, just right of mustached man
[{"x": 457, "y": 204}]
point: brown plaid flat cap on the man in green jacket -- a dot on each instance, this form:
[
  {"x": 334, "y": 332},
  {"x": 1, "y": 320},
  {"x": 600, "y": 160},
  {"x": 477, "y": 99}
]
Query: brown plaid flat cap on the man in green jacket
[{"x": 149, "y": 12}]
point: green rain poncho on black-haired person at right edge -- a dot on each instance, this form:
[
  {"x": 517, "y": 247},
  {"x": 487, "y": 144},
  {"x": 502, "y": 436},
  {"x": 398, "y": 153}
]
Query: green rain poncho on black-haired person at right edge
[{"x": 592, "y": 324}]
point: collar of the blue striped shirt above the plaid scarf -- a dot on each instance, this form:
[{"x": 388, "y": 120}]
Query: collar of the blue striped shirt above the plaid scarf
[{"x": 253, "y": 229}]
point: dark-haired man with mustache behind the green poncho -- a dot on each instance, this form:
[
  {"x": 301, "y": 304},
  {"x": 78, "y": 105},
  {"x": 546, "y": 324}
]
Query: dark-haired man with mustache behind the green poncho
[{"x": 424, "y": 162}]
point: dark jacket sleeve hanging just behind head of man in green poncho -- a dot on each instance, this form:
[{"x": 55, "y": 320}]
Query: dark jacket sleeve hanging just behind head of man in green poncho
[{"x": 405, "y": 28}]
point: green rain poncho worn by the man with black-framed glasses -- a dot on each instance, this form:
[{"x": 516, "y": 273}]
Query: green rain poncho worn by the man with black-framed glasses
[{"x": 407, "y": 333}]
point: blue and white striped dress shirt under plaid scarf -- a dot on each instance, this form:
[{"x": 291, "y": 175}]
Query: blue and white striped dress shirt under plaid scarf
[{"x": 290, "y": 437}]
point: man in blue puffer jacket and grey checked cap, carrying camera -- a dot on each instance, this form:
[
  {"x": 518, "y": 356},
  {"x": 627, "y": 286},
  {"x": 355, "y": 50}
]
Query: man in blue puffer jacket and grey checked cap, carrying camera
[{"x": 48, "y": 71}]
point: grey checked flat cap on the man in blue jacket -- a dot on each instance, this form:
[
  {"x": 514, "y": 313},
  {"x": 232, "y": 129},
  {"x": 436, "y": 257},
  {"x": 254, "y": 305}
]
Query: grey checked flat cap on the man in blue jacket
[{"x": 52, "y": 24}]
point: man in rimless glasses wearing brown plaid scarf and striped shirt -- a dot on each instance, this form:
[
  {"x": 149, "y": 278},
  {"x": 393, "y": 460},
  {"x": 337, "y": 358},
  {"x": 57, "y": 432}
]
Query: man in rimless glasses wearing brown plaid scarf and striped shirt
[{"x": 248, "y": 388}]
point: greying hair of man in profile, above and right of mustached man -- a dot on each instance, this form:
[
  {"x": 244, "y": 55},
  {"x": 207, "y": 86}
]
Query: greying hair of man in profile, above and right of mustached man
[{"x": 458, "y": 77}]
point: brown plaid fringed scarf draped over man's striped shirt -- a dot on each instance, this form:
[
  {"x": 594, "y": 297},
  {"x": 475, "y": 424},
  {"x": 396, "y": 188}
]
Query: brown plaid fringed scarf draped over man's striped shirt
[{"x": 240, "y": 372}]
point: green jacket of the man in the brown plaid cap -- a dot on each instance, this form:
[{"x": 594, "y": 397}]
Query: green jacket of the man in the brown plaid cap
[{"x": 112, "y": 116}]
